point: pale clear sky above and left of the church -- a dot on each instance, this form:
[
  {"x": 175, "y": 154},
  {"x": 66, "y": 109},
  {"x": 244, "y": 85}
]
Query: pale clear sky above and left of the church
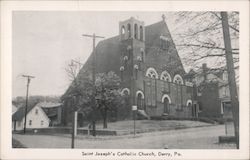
[{"x": 44, "y": 42}]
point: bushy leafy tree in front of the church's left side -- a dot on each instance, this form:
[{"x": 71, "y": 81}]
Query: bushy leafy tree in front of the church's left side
[{"x": 106, "y": 92}]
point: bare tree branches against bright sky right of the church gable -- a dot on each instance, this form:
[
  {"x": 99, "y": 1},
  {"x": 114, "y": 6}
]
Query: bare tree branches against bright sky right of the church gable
[{"x": 202, "y": 38}]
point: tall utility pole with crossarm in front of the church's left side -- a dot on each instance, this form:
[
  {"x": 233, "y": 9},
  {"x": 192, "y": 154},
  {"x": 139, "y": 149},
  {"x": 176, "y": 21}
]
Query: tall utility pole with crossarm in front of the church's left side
[{"x": 93, "y": 78}]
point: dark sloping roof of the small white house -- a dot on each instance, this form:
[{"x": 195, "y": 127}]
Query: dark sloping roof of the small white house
[{"x": 20, "y": 113}]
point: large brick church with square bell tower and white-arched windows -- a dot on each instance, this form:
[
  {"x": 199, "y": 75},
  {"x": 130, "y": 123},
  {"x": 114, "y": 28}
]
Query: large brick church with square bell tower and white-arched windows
[{"x": 152, "y": 74}]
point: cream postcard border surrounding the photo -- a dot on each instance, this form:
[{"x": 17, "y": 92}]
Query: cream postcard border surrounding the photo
[{"x": 6, "y": 22}]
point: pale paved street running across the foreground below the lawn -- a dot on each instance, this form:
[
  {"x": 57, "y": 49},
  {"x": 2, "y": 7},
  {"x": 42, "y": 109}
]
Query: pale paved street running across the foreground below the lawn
[{"x": 191, "y": 138}]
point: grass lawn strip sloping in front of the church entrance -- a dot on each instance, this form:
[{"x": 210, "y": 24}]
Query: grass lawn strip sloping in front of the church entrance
[{"x": 125, "y": 127}]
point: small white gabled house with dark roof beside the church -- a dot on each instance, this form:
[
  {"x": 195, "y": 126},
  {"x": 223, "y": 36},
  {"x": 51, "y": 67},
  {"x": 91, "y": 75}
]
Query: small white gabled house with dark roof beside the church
[{"x": 36, "y": 118}]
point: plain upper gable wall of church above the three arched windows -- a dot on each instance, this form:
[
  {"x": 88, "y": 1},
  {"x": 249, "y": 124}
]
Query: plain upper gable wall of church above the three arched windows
[{"x": 160, "y": 49}]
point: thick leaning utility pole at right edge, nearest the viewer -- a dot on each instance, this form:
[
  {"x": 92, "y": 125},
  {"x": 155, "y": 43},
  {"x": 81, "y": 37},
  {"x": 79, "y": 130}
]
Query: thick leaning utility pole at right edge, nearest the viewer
[{"x": 231, "y": 75}]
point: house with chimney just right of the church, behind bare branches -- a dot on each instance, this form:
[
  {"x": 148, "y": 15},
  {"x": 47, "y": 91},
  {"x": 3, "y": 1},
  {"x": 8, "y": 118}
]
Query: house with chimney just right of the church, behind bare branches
[{"x": 212, "y": 96}]
